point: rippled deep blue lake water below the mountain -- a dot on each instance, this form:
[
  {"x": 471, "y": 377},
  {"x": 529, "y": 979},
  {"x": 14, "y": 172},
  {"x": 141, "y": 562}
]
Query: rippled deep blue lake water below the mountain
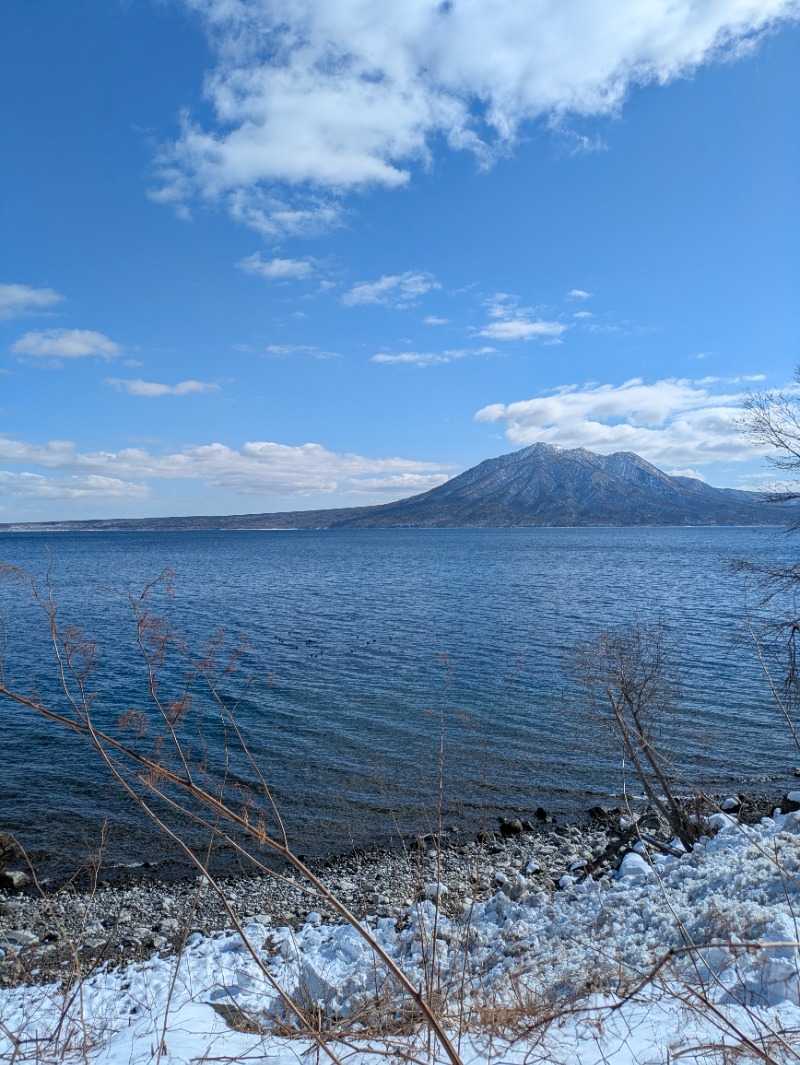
[{"x": 364, "y": 644}]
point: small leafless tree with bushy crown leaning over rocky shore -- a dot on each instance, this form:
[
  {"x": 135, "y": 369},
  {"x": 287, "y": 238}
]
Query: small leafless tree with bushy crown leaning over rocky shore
[{"x": 632, "y": 684}]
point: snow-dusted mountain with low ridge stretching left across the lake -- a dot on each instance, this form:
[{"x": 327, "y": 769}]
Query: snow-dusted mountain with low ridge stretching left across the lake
[{"x": 541, "y": 485}]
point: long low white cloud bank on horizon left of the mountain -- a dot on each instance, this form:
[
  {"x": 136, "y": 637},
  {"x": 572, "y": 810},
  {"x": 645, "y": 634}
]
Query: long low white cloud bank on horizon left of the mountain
[{"x": 259, "y": 468}]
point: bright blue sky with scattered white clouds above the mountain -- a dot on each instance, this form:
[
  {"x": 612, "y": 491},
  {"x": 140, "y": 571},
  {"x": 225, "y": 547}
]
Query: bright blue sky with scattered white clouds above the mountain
[{"x": 292, "y": 254}]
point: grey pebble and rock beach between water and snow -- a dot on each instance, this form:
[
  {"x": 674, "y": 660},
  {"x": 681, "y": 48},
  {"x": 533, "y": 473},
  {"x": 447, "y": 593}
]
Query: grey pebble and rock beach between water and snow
[{"x": 56, "y": 938}]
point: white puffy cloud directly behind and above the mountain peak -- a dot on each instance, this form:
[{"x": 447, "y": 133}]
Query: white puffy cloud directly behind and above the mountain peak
[{"x": 672, "y": 423}]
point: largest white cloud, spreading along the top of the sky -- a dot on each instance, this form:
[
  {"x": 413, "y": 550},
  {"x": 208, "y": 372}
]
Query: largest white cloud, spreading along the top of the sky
[{"x": 335, "y": 97}]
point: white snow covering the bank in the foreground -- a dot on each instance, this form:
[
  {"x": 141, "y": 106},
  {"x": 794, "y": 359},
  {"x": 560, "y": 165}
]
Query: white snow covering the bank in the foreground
[{"x": 583, "y": 958}]
